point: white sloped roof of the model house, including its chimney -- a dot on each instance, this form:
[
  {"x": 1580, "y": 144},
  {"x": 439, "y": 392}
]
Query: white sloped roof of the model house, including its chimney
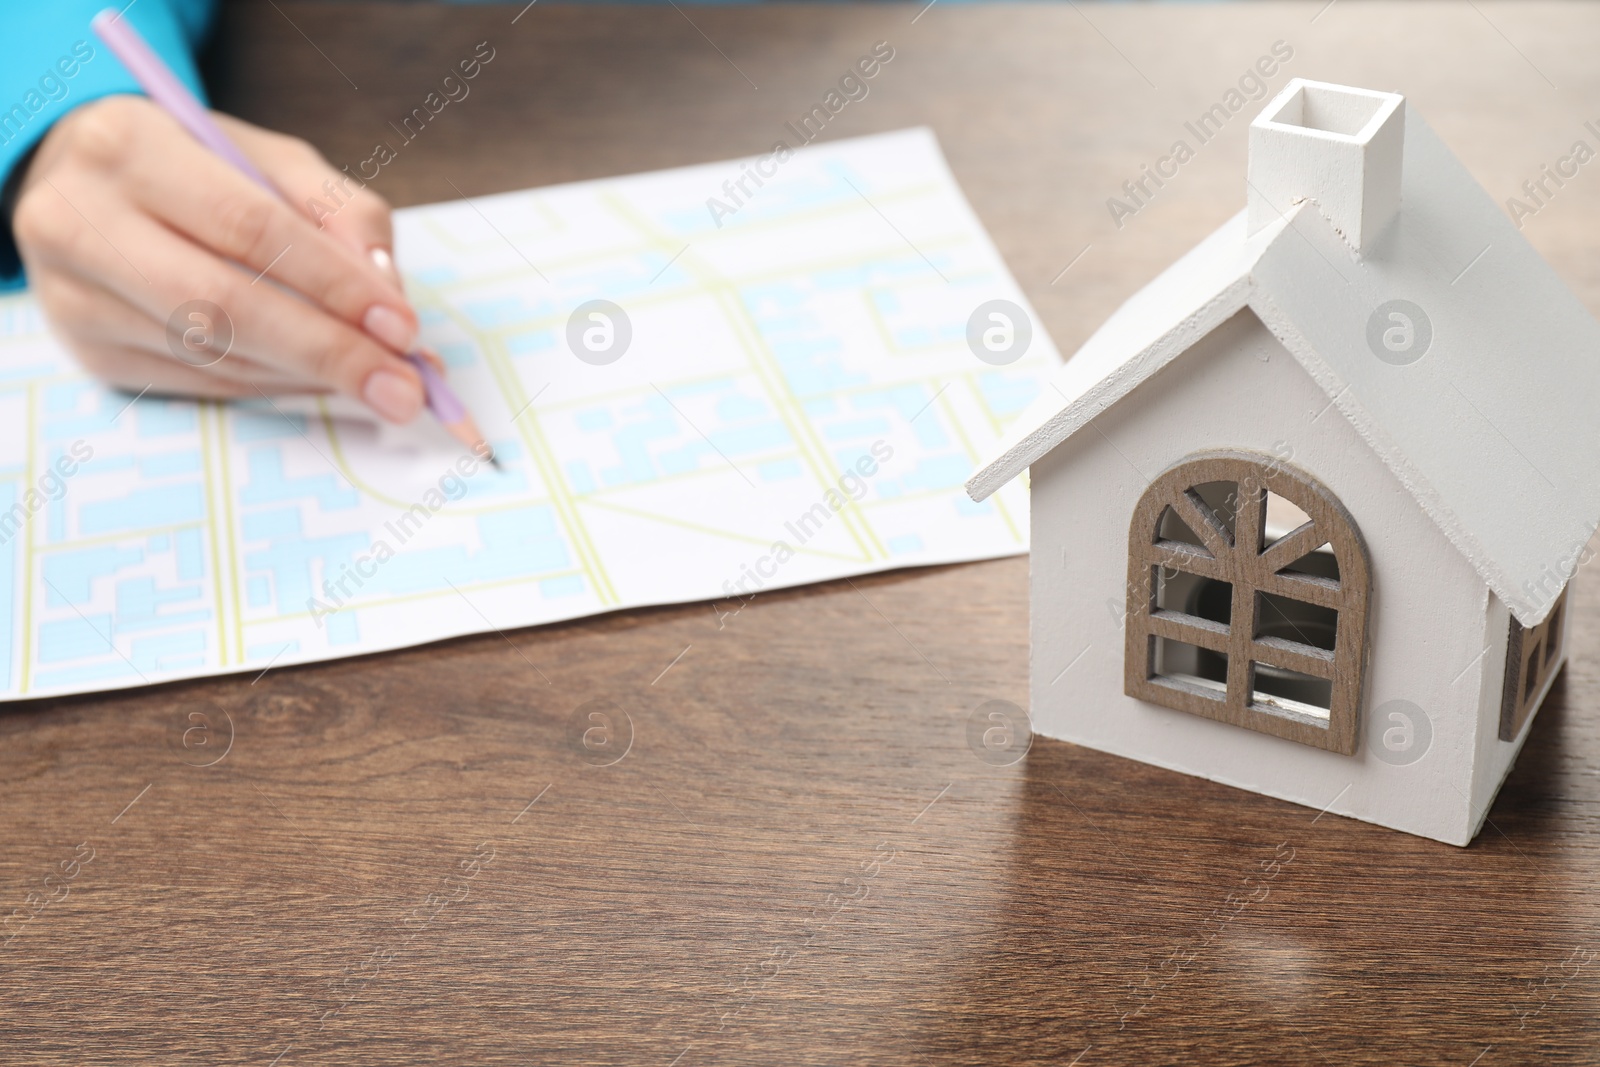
[{"x": 1484, "y": 398}]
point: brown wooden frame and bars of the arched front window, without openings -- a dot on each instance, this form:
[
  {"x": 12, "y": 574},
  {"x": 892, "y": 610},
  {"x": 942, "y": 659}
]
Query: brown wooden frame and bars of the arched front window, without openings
[{"x": 1252, "y": 572}]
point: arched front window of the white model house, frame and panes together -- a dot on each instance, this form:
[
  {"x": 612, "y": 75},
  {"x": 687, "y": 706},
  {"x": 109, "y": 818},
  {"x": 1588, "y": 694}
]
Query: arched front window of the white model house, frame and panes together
[{"x": 1249, "y": 591}]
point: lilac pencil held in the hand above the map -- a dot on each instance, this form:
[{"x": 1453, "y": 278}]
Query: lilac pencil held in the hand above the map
[{"x": 175, "y": 98}]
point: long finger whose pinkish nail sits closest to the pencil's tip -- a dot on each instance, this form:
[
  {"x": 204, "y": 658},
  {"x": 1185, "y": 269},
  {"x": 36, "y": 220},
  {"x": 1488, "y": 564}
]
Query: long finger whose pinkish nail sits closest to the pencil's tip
[{"x": 271, "y": 327}]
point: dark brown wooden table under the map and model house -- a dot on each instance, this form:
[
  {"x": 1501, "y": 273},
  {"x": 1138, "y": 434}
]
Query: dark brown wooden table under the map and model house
[{"x": 412, "y": 858}]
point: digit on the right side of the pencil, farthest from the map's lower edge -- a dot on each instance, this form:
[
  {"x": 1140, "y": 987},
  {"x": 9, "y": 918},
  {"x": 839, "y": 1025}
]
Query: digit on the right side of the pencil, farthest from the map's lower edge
[{"x": 335, "y": 201}]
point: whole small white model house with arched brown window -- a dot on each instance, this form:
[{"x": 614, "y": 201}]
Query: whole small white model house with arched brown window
[{"x": 1306, "y": 508}]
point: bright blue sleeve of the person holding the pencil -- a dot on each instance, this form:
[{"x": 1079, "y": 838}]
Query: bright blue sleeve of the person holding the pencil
[{"x": 50, "y": 63}]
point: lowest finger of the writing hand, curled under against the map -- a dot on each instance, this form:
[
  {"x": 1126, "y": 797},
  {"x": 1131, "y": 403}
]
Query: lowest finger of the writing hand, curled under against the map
[{"x": 89, "y": 316}]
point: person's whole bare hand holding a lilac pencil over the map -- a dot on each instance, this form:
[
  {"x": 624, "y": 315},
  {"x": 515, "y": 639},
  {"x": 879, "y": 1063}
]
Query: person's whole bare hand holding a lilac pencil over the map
[{"x": 124, "y": 218}]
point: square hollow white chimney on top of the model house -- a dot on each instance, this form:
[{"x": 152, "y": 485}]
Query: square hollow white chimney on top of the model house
[{"x": 1334, "y": 145}]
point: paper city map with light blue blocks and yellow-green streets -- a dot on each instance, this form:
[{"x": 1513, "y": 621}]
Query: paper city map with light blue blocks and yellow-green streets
[{"x": 703, "y": 385}]
